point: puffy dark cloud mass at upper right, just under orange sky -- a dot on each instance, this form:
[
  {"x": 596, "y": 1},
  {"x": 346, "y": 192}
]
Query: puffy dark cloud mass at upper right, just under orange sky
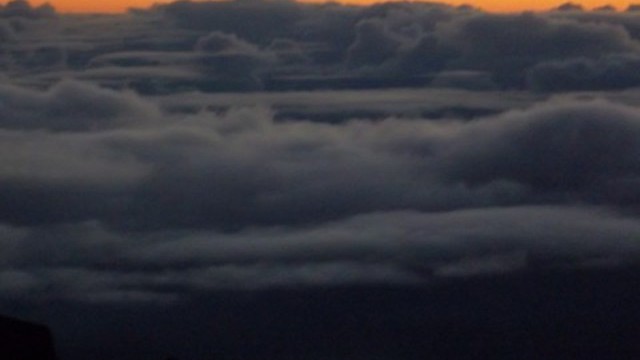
[{"x": 536, "y": 38}]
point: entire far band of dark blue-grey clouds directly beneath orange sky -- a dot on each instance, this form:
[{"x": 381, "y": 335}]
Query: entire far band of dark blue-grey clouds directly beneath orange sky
[{"x": 329, "y": 46}]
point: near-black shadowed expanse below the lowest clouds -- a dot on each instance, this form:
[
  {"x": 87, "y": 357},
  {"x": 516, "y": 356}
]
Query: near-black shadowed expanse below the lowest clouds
[{"x": 585, "y": 314}]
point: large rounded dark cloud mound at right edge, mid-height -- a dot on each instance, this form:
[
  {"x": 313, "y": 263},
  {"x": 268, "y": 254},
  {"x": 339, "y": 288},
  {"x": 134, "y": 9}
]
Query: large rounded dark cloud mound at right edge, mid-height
[{"x": 556, "y": 147}]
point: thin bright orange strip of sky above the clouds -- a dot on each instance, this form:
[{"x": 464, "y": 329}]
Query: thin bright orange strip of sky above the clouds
[{"x": 491, "y": 5}]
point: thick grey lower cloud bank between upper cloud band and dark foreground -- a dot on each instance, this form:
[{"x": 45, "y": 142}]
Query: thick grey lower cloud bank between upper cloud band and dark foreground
[{"x": 131, "y": 201}]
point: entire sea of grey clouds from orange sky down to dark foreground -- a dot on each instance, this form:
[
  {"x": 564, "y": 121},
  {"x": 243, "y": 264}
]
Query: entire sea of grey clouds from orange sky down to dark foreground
[{"x": 191, "y": 147}]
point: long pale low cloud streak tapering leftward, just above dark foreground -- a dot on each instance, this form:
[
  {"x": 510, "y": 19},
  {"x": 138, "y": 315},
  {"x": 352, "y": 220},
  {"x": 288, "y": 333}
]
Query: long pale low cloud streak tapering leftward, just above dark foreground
[{"x": 409, "y": 239}]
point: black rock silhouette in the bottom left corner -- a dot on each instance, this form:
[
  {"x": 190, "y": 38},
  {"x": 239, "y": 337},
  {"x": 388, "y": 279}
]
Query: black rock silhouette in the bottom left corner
[{"x": 21, "y": 340}]
